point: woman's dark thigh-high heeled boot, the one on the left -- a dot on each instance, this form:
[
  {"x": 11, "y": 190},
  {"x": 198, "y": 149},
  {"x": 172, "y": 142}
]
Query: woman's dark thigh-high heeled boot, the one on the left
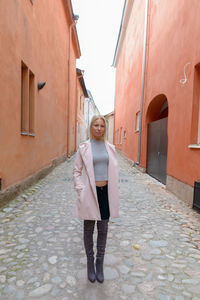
[{"x": 88, "y": 243}]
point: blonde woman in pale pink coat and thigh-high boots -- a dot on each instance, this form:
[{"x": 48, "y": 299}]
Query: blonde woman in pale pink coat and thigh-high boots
[{"x": 96, "y": 182}]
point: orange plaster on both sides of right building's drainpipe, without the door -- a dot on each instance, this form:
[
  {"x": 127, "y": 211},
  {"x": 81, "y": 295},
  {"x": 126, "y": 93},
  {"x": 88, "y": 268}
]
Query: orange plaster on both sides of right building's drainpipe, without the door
[{"x": 173, "y": 34}]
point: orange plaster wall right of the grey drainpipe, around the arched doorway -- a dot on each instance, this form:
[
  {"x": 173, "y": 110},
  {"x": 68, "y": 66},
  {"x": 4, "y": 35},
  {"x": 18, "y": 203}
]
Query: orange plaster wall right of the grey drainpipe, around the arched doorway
[{"x": 173, "y": 52}]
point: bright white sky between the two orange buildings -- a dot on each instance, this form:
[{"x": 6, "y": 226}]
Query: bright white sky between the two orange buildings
[{"x": 98, "y": 28}]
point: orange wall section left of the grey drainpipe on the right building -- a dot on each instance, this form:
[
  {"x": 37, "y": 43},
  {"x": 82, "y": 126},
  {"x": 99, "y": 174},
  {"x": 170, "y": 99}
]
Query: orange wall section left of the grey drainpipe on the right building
[{"x": 128, "y": 82}]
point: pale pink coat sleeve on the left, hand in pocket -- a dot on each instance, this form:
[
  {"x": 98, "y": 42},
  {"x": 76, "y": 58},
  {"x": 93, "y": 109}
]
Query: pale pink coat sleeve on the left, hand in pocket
[{"x": 77, "y": 172}]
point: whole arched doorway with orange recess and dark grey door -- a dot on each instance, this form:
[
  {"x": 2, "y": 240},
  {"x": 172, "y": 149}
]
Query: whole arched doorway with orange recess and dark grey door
[{"x": 157, "y": 138}]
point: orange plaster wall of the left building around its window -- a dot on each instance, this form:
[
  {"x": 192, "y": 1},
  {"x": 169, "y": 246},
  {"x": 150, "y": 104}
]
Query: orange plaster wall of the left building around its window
[{"x": 38, "y": 35}]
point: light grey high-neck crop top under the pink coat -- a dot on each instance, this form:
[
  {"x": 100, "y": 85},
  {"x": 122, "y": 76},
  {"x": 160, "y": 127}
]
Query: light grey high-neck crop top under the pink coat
[{"x": 100, "y": 160}]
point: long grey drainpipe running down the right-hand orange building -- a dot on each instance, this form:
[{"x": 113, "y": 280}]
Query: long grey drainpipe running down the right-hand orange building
[{"x": 143, "y": 80}]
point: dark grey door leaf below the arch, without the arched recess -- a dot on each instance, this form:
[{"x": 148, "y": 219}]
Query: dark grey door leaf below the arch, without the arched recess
[{"x": 157, "y": 149}]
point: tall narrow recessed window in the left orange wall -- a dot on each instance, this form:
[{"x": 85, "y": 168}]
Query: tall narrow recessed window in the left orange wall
[{"x": 27, "y": 100}]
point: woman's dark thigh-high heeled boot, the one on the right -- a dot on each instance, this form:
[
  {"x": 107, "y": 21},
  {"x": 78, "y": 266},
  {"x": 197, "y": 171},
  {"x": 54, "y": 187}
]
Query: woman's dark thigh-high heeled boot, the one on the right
[{"x": 102, "y": 228}]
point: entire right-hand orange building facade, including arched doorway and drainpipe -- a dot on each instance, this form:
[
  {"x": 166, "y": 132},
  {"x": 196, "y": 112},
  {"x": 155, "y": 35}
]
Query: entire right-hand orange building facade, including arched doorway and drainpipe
[{"x": 157, "y": 101}]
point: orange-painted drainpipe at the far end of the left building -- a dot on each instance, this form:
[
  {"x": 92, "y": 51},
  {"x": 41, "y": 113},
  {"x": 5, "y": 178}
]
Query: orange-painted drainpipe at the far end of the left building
[{"x": 69, "y": 87}]
